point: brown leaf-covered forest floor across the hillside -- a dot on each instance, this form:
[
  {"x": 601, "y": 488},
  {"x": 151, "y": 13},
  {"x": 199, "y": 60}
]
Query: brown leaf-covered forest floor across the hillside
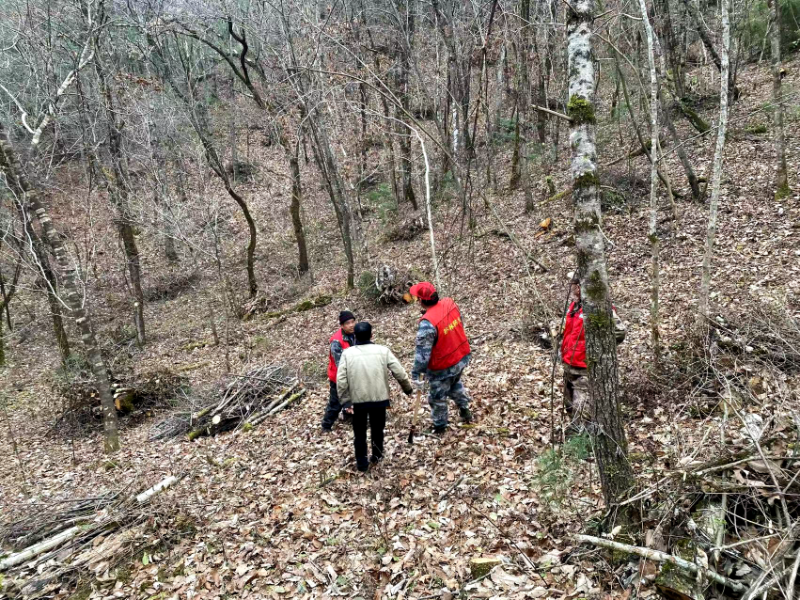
[{"x": 280, "y": 512}]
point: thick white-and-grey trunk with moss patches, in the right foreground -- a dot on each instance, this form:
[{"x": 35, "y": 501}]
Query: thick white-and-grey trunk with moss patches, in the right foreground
[{"x": 611, "y": 448}]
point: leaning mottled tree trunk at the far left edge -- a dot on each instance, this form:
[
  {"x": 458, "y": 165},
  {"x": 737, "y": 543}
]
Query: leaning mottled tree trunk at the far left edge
[{"x": 9, "y": 163}]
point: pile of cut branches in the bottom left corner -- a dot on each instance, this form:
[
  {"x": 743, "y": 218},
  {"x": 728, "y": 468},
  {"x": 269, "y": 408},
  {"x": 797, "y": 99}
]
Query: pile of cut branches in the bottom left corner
[{"x": 54, "y": 546}]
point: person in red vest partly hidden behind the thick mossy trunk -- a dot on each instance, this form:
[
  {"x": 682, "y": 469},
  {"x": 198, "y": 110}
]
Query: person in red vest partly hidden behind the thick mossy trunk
[{"x": 573, "y": 357}]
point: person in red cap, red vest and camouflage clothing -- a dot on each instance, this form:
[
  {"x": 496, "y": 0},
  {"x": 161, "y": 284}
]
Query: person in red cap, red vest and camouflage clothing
[{"x": 442, "y": 353}]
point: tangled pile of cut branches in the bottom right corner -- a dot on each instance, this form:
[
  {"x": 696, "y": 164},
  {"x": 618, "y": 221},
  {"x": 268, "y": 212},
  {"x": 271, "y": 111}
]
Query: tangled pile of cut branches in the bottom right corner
[{"x": 728, "y": 527}]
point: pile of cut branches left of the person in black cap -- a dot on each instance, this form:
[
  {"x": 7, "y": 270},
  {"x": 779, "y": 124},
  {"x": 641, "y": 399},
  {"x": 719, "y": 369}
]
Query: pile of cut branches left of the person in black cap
[{"x": 245, "y": 402}]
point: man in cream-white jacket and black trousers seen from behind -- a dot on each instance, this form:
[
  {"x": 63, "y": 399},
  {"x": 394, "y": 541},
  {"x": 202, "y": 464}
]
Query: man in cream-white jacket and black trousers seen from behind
[{"x": 363, "y": 384}]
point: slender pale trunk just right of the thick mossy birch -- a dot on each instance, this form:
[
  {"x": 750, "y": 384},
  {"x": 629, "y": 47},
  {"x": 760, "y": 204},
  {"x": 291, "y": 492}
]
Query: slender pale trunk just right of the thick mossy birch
[{"x": 652, "y": 233}]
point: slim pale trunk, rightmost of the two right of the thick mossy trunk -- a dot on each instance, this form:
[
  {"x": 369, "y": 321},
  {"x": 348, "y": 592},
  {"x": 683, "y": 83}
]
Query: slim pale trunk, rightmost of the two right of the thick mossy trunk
[{"x": 713, "y": 209}]
